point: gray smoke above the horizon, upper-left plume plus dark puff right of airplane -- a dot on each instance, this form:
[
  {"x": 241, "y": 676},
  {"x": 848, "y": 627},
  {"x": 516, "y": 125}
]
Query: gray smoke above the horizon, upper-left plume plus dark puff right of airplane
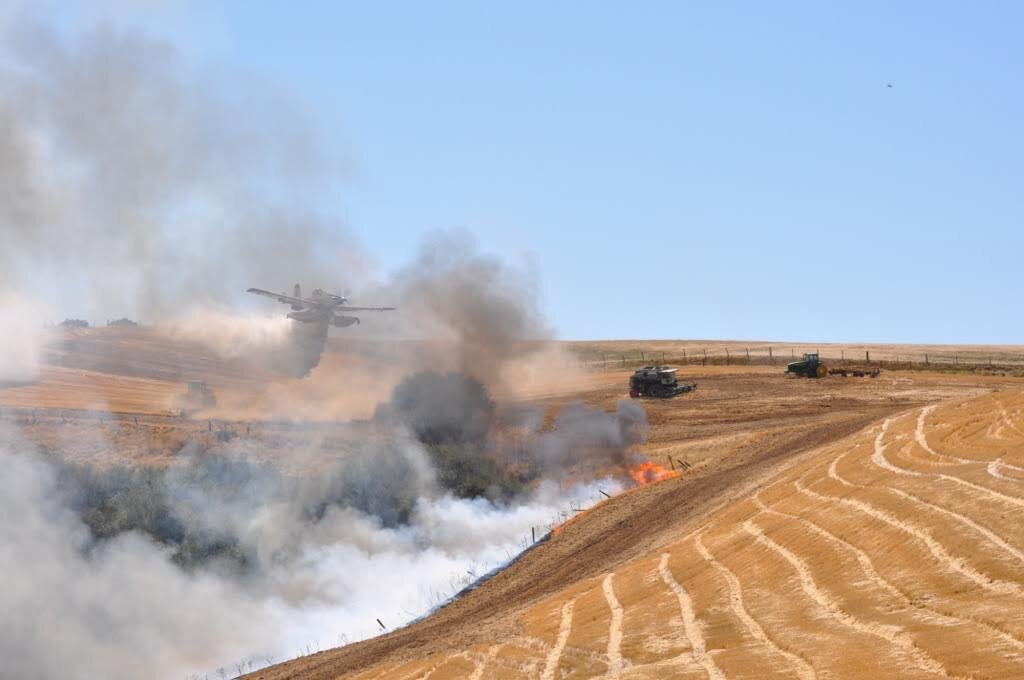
[{"x": 131, "y": 185}]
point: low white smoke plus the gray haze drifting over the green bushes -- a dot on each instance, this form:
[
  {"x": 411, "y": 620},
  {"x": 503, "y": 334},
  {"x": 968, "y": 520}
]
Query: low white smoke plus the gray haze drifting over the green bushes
[{"x": 316, "y": 574}]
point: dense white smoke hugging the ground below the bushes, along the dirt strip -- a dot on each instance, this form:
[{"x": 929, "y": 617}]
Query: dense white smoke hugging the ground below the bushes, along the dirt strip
[{"x": 121, "y": 609}]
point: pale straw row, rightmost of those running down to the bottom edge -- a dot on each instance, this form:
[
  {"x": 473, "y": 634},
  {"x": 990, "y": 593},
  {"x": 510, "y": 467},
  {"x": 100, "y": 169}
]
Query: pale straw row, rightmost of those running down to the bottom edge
[{"x": 894, "y": 634}]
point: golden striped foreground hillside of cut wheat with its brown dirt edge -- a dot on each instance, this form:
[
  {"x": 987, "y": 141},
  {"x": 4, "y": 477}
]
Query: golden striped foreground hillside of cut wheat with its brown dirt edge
[{"x": 894, "y": 551}]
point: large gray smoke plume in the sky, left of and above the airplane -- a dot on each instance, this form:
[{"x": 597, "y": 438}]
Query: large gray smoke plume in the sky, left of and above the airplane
[{"x": 138, "y": 185}]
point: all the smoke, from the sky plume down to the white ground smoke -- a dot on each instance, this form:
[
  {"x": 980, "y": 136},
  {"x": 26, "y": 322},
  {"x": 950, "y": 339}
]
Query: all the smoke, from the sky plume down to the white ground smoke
[{"x": 131, "y": 185}]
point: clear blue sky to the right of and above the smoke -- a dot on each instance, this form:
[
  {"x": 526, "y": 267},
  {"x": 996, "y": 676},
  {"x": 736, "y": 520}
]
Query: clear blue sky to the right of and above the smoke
[{"x": 674, "y": 171}]
